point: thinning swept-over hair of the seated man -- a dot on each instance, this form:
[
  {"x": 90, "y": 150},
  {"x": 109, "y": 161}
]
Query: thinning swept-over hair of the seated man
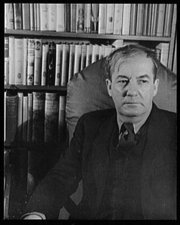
[{"x": 129, "y": 51}]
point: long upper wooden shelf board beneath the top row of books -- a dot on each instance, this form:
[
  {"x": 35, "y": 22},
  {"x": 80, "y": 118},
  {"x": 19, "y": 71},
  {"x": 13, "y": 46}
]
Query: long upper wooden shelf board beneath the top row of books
[{"x": 51, "y": 34}]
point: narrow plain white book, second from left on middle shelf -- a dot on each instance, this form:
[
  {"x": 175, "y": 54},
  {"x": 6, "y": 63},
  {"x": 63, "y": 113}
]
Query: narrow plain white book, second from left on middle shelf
[{"x": 11, "y": 60}]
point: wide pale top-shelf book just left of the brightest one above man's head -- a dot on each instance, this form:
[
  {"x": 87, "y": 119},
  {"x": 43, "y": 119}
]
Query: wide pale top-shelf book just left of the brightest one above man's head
[{"x": 118, "y": 18}]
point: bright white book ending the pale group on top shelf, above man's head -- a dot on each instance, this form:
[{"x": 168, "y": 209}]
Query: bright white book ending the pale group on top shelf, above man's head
[{"x": 126, "y": 19}]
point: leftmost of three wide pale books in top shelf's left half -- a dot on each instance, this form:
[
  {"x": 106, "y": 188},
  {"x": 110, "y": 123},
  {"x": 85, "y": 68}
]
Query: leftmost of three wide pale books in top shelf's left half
[{"x": 43, "y": 17}]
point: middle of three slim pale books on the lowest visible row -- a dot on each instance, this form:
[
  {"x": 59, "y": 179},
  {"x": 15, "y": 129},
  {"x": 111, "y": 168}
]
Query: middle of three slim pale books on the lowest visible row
[{"x": 25, "y": 119}]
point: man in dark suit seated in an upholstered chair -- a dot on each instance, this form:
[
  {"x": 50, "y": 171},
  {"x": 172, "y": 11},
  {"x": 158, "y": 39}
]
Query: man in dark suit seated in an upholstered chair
[{"x": 126, "y": 157}]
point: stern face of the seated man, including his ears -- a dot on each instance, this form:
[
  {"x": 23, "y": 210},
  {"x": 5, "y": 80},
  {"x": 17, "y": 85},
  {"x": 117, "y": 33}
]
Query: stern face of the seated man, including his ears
[{"x": 132, "y": 87}]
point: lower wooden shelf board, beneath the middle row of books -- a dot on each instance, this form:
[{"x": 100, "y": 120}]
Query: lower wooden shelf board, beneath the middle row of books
[{"x": 31, "y": 88}]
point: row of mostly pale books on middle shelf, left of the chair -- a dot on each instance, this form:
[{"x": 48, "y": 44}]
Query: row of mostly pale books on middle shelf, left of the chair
[{"x": 32, "y": 62}]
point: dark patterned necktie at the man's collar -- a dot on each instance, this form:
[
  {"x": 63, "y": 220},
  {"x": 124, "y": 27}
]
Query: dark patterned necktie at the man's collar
[{"x": 127, "y": 136}]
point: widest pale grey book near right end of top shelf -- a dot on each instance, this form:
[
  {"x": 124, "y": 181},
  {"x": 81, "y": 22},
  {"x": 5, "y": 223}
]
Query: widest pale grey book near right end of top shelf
[{"x": 160, "y": 20}]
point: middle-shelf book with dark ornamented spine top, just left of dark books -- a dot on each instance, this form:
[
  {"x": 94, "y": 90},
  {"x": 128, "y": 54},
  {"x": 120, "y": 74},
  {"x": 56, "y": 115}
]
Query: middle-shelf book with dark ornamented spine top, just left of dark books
[{"x": 37, "y": 61}]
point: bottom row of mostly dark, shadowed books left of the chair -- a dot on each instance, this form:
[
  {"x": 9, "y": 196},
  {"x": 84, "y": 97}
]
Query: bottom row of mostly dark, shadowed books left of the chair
[{"x": 34, "y": 118}]
